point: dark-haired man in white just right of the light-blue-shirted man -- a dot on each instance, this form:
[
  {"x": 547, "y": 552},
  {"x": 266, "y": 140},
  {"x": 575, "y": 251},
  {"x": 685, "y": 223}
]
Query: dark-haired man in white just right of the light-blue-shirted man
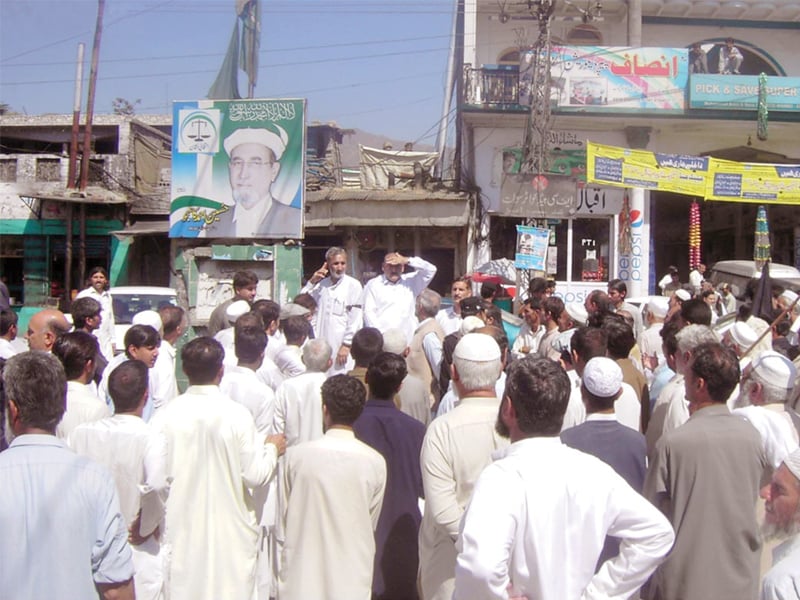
[{"x": 136, "y": 457}]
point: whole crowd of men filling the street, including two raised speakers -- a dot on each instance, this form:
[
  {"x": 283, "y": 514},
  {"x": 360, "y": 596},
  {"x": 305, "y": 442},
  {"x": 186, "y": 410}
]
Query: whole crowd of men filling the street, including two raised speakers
[{"x": 364, "y": 442}]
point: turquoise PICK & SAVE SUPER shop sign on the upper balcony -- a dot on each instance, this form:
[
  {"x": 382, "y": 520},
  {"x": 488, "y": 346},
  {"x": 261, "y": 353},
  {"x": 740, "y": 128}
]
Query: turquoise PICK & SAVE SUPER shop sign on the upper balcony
[{"x": 739, "y": 92}]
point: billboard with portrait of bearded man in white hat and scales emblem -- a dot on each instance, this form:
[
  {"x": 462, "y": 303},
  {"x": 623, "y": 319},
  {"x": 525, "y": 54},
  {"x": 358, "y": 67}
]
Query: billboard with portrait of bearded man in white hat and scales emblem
[{"x": 238, "y": 169}]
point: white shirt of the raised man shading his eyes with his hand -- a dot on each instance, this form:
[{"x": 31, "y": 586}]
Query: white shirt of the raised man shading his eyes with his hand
[{"x": 392, "y": 305}]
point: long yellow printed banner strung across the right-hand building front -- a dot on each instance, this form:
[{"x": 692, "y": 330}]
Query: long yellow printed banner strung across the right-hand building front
[{"x": 709, "y": 178}]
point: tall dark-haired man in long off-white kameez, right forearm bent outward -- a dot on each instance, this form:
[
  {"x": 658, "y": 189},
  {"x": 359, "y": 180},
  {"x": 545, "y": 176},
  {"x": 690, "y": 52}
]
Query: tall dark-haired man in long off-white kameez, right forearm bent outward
[{"x": 215, "y": 457}]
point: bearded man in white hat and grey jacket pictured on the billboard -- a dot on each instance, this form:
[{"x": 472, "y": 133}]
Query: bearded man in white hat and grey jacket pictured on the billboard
[{"x": 254, "y": 166}]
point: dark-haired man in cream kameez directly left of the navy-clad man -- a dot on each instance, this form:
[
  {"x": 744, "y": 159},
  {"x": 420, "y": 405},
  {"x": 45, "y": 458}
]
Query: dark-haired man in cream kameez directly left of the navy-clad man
[{"x": 332, "y": 493}]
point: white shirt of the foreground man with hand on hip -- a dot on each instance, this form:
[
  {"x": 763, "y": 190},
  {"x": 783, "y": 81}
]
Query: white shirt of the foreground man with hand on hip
[{"x": 538, "y": 519}]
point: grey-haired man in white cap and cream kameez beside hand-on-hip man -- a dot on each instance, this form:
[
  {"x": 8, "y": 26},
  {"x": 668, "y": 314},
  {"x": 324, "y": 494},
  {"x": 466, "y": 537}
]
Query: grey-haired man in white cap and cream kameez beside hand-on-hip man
[{"x": 456, "y": 448}]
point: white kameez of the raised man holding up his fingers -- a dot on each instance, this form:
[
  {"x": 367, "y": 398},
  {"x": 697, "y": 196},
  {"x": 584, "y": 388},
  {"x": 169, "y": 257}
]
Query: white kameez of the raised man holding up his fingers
[{"x": 338, "y": 314}]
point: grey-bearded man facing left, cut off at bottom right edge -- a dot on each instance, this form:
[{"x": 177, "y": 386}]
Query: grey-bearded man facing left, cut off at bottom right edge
[{"x": 782, "y": 522}]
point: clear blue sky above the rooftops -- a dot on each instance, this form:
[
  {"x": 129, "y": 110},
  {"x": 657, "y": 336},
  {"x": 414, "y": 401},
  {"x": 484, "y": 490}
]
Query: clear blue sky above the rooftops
[{"x": 374, "y": 65}]
